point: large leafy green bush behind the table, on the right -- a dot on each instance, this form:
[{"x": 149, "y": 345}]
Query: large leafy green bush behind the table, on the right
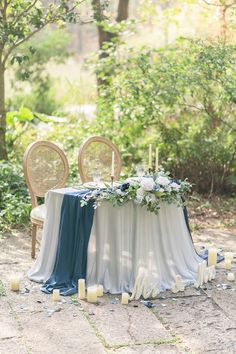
[{"x": 180, "y": 98}]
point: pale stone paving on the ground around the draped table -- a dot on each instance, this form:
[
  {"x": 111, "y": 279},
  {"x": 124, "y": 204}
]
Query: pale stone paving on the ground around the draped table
[{"x": 196, "y": 321}]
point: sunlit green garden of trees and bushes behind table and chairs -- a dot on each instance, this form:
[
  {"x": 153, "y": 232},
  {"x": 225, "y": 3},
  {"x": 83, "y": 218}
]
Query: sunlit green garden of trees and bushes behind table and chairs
[{"x": 161, "y": 73}]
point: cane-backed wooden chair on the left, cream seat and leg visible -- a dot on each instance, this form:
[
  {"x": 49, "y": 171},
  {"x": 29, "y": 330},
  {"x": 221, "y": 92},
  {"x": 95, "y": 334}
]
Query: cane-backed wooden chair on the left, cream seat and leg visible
[{"x": 45, "y": 167}]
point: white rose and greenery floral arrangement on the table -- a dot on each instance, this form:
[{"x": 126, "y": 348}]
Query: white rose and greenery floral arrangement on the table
[{"x": 149, "y": 190}]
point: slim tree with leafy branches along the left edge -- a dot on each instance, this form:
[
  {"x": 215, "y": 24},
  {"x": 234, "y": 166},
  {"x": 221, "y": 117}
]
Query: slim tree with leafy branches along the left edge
[{"x": 19, "y": 21}]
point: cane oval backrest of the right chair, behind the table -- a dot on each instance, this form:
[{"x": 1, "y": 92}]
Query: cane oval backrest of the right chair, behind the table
[{"x": 96, "y": 153}]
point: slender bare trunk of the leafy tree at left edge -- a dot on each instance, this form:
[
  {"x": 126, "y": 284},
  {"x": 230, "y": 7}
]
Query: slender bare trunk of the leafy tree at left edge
[{"x": 3, "y": 148}]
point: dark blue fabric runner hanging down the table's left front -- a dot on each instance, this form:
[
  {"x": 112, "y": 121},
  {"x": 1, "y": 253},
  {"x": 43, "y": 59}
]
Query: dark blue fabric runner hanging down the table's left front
[{"x": 74, "y": 232}]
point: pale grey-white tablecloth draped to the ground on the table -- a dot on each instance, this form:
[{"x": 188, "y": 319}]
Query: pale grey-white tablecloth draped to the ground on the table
[{"x": 124, "y": 241}]
